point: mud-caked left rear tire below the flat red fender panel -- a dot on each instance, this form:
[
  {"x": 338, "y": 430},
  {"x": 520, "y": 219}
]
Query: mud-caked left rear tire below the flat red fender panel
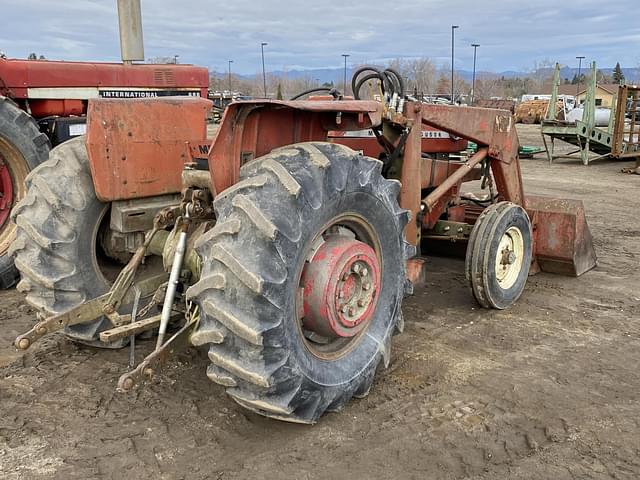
[{"x": 57, "y": 233}]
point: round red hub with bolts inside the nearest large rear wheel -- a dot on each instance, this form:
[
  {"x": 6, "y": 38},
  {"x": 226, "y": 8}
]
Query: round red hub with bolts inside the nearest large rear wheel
[{"x": 340, "y": 286}]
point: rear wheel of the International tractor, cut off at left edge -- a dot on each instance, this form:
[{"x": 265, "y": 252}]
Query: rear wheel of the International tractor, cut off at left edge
[{"x": 22, "y": 148}]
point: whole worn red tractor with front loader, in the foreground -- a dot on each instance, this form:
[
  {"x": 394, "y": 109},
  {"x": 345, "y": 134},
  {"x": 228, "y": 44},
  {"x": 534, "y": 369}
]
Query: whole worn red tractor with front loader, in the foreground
[{"x": 286, "y": 256}]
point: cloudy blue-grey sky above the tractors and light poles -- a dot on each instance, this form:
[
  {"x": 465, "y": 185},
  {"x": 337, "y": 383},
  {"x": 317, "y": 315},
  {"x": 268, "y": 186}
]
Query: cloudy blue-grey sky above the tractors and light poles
[{"x": 513, "y": 35}]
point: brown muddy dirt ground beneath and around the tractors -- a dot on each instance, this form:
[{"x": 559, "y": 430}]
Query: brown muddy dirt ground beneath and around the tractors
[{"x": 548, "y": 389}]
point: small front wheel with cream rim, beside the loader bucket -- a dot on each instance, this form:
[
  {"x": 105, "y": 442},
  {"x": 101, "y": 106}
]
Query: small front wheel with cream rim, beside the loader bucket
[{"x": 499, "y": 255}]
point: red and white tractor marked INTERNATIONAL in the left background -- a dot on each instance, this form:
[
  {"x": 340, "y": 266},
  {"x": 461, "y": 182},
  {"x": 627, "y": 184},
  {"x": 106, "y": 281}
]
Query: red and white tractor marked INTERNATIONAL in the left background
[{"x": 44, "y": 103}]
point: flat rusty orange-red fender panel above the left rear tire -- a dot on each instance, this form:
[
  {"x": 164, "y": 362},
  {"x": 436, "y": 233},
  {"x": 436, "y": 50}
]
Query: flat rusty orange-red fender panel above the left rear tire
[{"x": 137, "y": 147}]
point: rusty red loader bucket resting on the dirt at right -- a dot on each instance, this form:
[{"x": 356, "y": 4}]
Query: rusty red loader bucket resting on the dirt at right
[{"x": 562, "y": 240}]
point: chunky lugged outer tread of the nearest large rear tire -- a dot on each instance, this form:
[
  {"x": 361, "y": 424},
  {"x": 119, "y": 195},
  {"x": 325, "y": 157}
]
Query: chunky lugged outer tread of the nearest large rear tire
[{"x": 260, "y": 223}]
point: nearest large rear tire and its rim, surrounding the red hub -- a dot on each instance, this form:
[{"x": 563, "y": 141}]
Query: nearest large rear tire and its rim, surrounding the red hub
[{"x": 252, "y": 265}]
